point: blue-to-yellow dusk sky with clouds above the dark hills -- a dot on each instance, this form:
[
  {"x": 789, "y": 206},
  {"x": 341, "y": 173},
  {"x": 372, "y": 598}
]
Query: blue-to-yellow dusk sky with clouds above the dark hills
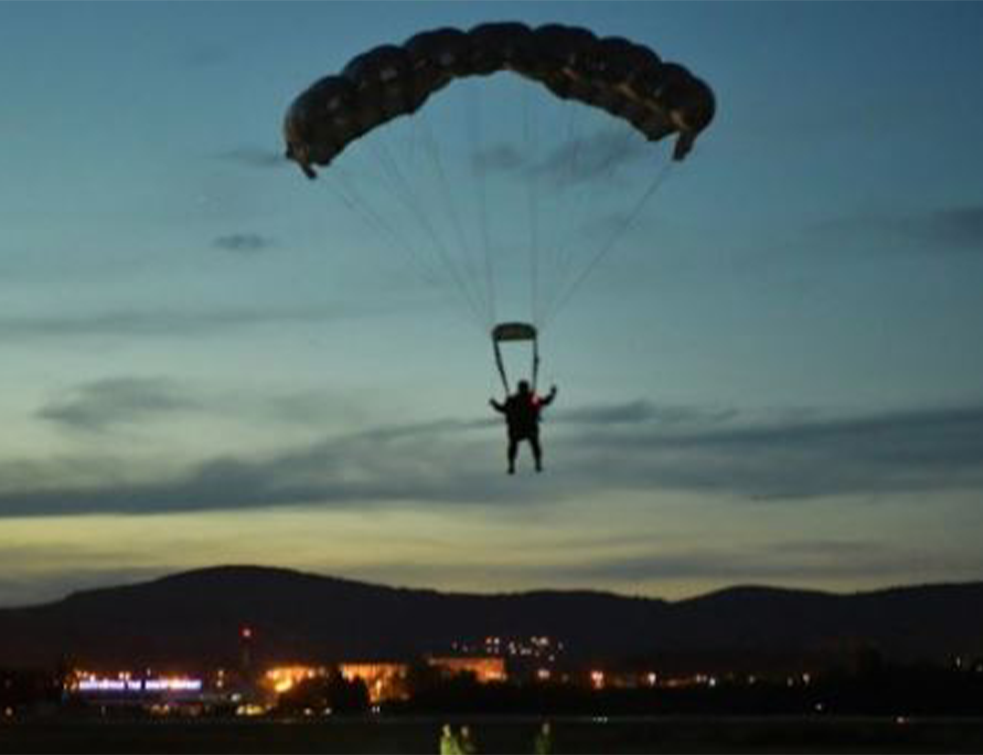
[{"x": 770, "y": 377}]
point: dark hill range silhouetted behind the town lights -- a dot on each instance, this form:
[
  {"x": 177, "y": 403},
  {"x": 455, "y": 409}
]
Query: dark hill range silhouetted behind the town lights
[{"x": 195, "y": 617}]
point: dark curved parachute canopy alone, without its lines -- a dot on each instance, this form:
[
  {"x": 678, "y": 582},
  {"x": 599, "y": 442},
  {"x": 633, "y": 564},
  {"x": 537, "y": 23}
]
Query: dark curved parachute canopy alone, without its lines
[{"x": 626, "y": 79}]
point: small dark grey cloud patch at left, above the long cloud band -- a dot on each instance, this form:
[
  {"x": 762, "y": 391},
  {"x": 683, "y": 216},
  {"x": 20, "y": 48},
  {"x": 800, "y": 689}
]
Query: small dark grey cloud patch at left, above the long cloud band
[{"x": 97, "y": 406}]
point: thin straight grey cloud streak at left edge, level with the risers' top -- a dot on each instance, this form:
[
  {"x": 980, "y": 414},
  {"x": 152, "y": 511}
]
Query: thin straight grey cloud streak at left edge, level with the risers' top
[{"x": 145, "y": 323}]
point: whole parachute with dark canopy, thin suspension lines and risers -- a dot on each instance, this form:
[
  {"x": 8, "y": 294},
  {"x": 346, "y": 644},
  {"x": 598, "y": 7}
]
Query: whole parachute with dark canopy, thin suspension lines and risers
[{"x": 618, "y": 77}]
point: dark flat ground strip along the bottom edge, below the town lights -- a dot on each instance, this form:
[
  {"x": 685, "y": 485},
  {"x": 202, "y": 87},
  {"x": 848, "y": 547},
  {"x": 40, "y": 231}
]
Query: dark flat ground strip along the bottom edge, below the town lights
[{"x": 499, "y": 735}]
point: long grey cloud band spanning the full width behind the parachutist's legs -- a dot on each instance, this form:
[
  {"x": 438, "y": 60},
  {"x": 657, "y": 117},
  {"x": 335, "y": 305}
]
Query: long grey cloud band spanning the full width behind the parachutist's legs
[{"x": 599, "y": 450}]
